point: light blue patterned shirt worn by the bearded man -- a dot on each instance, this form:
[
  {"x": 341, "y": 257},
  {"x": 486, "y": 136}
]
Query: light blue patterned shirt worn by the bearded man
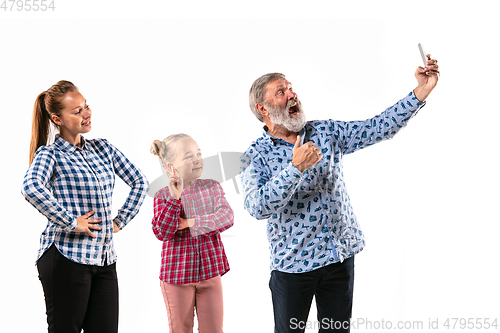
[{"x": 311, "y": 222}]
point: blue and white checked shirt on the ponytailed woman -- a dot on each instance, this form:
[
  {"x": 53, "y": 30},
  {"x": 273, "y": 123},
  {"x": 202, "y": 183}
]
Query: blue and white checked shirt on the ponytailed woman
[{"x": 65, "y": 182}]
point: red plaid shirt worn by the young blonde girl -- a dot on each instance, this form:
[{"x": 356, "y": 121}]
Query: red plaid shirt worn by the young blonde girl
[{"x": 192, "y": 254}]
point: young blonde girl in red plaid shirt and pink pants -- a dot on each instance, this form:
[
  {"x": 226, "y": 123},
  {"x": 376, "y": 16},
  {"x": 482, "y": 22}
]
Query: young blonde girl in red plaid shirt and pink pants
[{"x": 189, "y": 215}]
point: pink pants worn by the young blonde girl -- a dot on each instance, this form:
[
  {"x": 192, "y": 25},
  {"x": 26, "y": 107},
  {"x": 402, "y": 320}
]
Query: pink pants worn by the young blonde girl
[{"x": 182, "y": 299}]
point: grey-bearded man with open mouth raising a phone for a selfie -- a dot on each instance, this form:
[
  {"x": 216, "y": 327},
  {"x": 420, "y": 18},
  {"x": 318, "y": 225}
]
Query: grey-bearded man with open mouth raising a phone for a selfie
[{"x": 292, "y": 176}]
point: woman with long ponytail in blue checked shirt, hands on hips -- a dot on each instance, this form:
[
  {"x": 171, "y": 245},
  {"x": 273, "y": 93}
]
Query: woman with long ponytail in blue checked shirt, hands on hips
[{"x": 70, "y": 181}]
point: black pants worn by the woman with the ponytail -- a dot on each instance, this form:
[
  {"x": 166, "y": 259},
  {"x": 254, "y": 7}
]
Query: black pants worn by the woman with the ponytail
[{"x": 78, "y": 296}]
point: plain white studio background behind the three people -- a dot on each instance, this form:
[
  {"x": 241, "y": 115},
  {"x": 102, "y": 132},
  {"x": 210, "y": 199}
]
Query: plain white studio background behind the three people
[{"x": 427, "y": 200}]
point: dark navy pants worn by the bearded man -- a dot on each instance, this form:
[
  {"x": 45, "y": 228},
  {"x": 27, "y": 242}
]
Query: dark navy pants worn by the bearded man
[{"x": 292, "y": 295}]
